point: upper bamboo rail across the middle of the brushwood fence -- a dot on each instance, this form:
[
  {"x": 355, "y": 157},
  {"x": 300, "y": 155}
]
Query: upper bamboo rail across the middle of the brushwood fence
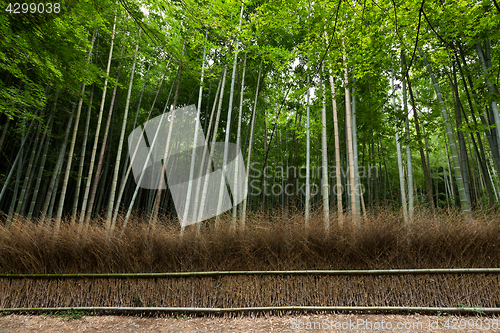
[{"x": 298, "y": 272}]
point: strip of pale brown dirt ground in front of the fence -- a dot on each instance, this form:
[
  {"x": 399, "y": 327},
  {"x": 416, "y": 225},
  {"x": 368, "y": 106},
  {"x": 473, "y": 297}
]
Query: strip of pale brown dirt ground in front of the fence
[{"x": 294, "y": 323}]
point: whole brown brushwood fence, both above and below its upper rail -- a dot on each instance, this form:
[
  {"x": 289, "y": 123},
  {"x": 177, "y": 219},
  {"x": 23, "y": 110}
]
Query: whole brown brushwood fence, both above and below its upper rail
[{"x": 269, "y": 243}]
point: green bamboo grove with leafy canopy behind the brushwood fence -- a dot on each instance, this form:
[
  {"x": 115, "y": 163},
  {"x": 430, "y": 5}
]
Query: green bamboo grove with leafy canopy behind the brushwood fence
[{"x": 109, "y": 66}]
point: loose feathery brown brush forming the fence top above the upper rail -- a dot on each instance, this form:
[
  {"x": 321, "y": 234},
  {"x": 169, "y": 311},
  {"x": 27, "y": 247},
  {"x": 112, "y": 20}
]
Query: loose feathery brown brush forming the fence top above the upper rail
[{"x": 268, "y": 243}]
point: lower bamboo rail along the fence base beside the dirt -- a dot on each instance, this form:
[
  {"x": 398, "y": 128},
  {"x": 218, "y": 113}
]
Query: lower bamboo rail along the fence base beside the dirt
[{"x": 263, "y": 308}]
